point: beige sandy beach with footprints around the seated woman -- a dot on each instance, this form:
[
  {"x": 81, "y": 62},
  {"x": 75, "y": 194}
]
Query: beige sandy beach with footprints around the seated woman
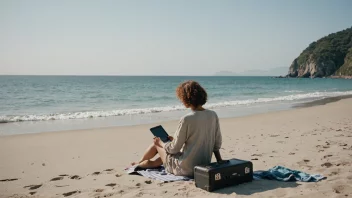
[{"x": 316, "y": 139}]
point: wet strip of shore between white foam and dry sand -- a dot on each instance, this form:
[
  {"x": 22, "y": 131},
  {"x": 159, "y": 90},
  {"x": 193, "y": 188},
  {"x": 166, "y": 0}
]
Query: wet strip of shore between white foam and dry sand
[{"x": 150, "y": 119}]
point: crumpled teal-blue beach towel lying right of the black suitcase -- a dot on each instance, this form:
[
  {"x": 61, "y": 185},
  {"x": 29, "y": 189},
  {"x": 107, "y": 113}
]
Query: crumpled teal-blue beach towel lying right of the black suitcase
[{"x": 281, "y": 173}]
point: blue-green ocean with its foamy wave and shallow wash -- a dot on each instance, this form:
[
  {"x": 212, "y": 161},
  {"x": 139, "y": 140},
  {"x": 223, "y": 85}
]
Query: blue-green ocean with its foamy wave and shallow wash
[{"x": 31, "y": 104}]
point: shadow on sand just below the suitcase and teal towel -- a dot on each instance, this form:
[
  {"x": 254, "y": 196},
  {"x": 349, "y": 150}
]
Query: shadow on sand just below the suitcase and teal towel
[{"x": 256, "y": 186}]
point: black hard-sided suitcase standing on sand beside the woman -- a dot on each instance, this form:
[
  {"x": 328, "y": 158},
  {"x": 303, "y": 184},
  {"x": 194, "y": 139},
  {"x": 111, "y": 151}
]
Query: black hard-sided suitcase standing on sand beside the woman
[{"x": 226, "y": 173}]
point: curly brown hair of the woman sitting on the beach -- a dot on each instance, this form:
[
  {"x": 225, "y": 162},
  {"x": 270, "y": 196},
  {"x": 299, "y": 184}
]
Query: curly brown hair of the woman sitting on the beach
[{"x": 190, "y": 93}]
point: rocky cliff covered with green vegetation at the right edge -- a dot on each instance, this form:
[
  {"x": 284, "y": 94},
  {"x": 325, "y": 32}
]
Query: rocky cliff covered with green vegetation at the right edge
[{"x": 330, "y": 55}]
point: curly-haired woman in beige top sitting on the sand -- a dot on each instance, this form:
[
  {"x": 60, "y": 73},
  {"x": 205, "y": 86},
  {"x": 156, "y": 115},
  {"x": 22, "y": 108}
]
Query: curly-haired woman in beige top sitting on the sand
[{"x": 197, "y": 136}]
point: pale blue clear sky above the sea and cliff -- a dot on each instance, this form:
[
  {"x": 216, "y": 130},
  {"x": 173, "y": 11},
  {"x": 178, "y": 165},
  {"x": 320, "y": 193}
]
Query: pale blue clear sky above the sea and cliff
[{"x": 157, "y": 37}]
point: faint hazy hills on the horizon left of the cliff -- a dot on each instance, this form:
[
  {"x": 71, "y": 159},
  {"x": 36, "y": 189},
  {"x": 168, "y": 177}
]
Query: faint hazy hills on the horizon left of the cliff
[{"x": 255, "y": 72}]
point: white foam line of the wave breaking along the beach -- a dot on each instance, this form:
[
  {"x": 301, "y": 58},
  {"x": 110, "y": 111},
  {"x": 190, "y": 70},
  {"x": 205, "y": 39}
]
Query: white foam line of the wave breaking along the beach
[{"x": 96, "y": 114}]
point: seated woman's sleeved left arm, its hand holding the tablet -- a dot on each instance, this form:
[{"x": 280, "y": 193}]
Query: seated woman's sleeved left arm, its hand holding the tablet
[{"x": 180, "y": 138}]
